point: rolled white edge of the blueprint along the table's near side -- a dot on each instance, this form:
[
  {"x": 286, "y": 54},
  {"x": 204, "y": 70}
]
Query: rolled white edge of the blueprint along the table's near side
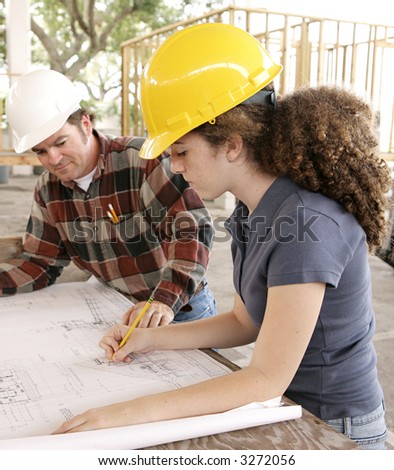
[{"x": 161, "y": 432}]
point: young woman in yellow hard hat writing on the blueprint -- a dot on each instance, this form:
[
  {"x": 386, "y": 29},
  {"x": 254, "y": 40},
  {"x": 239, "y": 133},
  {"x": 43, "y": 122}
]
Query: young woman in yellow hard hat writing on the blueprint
[{"x": 310, "y": 187}]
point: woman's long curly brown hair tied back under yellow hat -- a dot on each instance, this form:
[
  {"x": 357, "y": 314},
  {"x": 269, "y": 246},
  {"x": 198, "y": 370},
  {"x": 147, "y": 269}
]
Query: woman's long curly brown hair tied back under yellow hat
[{"x": 323, "y": 138}]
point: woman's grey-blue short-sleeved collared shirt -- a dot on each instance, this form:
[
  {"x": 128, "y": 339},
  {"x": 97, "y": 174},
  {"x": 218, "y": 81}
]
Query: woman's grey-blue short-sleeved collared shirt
[{"x": 297, "y": 236}]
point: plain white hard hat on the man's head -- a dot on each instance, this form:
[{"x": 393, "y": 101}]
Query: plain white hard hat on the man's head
[{"x": 38, "y": 105}]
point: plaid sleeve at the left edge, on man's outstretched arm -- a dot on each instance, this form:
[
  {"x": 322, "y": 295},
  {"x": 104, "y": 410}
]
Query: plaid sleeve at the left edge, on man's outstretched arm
[{"x": 43, "y": 256}]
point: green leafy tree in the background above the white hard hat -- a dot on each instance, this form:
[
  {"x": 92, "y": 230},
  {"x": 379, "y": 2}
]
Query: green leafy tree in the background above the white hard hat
[{"x": 81, "y": 38}]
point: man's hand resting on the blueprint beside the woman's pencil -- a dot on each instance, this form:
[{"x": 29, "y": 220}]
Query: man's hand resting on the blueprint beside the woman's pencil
[{"x": 158, "y": 314}]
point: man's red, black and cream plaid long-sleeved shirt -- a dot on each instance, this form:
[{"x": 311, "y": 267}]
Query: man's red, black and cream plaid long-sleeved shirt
[{"x": 161, "y": 244}]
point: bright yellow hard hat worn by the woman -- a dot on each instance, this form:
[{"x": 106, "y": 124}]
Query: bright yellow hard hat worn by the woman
[{"x": 197, "y": 74}]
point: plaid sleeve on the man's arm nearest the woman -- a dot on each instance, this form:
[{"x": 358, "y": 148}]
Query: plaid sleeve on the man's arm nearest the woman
[{"x": 185, "y": 228}]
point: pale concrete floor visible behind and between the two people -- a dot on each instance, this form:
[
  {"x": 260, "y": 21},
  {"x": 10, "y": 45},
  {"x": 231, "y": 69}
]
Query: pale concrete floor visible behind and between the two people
[{"x": 15, "y": 201}]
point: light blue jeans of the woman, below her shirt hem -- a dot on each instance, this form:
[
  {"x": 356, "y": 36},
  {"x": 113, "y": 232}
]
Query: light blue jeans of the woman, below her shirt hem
[{"x": 368, "y": 431}]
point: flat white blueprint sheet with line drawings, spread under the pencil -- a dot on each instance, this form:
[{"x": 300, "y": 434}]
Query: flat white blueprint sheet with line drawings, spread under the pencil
[{"x": 51, "y": 367}]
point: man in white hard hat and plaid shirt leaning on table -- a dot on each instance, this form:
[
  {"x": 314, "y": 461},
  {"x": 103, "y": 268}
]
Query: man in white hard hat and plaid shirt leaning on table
[{"x": 129, "y": 222}]
